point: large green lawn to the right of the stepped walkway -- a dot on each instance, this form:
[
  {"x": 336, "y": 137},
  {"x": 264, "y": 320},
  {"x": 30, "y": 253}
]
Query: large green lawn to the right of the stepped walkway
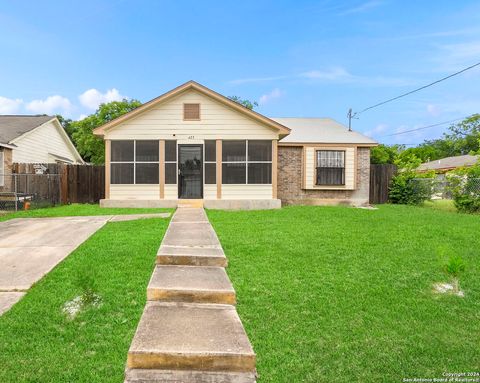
[{"x": 335, "y": 294}]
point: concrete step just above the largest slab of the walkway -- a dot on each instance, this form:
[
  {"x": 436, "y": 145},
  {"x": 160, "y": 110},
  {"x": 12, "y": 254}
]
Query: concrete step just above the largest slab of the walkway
[{"x": 190, "y": 284}]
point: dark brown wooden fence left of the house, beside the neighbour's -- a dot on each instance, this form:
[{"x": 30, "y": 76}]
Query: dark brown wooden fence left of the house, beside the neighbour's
[{"x": 61, "y": 183}]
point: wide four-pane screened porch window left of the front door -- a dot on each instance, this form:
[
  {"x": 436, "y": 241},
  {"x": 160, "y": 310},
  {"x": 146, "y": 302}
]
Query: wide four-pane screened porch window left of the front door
[{"x": 134, "y": 162}]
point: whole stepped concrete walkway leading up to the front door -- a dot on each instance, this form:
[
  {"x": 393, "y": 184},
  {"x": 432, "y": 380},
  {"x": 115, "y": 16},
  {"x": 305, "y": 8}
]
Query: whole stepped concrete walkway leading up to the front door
[{"x": 190, "y": 331}]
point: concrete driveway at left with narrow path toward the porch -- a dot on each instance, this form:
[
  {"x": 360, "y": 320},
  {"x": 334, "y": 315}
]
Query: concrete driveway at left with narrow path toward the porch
[{"x": 31, "y": 247}]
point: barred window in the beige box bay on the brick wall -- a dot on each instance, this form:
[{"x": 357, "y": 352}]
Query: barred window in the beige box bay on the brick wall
[{"x": 330, "y": 167}]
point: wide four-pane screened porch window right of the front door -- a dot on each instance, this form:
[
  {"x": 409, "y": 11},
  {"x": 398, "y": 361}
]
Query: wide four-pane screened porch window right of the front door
[{"x": 247, "y": 162}]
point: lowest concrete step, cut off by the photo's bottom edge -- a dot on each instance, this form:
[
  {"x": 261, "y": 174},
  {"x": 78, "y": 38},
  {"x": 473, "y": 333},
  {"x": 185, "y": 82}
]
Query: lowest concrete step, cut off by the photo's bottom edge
[{"x": 177, "y": 376}]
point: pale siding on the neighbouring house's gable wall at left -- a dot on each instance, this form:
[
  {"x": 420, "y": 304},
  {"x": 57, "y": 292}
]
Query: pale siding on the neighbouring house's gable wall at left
[{"x": 38, "y": 145}]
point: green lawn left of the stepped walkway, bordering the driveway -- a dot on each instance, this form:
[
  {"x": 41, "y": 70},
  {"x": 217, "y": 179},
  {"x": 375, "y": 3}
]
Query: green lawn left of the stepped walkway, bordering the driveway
[{"x": 37, "y": 341}]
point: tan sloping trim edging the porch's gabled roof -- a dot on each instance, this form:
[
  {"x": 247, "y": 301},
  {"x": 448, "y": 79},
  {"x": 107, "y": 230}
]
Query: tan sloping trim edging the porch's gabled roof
[{"x": 192, "y": 85}]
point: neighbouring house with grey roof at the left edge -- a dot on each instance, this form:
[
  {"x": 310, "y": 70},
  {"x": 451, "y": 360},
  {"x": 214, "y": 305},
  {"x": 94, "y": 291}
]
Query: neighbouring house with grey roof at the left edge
[{"x": 33, "y": 139}]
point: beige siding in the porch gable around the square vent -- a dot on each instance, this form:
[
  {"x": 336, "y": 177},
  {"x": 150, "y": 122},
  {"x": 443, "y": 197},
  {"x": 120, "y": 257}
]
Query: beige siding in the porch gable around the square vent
[{"x": 165, "y": 121}]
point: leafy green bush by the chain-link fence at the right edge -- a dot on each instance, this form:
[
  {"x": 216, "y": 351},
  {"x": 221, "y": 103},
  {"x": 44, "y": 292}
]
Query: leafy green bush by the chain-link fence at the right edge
[{"x": 465, "y": 189}]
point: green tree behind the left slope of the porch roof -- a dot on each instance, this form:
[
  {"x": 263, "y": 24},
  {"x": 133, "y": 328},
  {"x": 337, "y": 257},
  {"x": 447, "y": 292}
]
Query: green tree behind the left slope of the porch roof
[{"x": 91, "y": 147}]
